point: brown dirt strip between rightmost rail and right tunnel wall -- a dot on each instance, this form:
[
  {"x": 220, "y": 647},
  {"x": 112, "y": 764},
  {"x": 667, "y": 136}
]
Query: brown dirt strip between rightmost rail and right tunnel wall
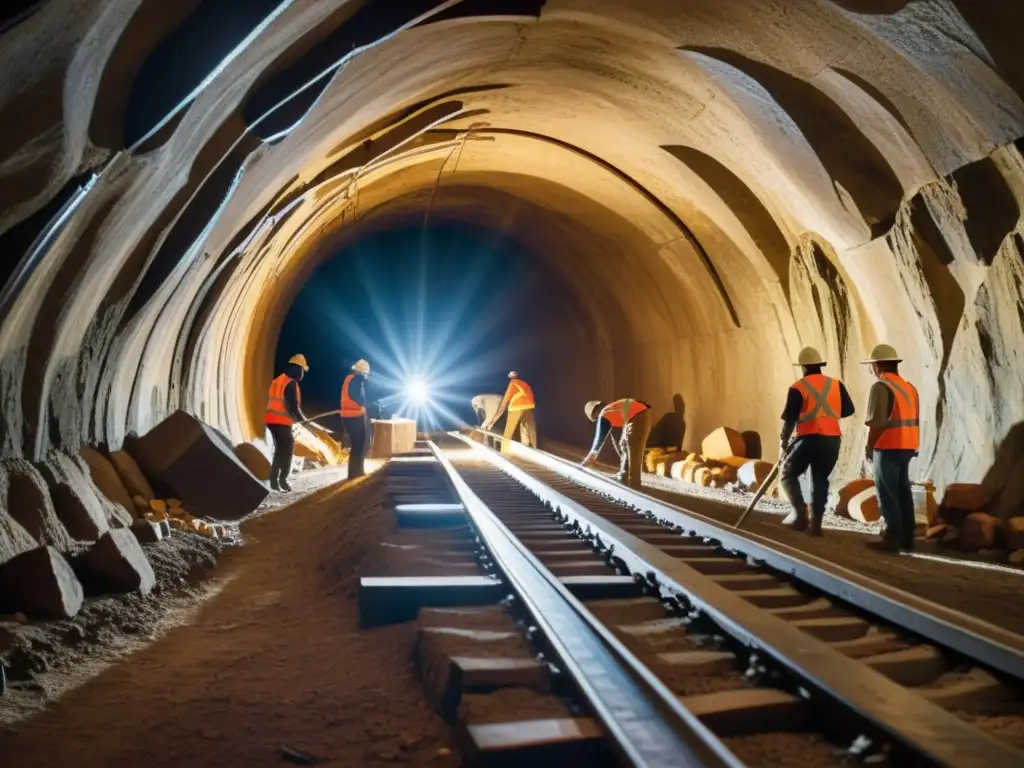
[{"x": 961, "y": 584}]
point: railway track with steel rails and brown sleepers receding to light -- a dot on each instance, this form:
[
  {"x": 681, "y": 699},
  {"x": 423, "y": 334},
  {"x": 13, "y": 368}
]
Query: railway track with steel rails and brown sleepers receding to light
[{"x": 712, "y": 658}]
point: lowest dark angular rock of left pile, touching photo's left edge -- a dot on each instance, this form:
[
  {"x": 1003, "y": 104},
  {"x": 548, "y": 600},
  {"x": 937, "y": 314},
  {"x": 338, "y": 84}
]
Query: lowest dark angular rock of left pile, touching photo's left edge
[{"x": 41, "y": 585}]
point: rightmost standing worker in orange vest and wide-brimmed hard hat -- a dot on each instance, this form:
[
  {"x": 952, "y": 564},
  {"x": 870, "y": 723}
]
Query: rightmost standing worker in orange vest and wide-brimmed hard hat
[{"x": 893, "y": 440}]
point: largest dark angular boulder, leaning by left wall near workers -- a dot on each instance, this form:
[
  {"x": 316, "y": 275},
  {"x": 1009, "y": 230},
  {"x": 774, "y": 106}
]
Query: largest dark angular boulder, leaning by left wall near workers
[{"x": 194, "y": 463}]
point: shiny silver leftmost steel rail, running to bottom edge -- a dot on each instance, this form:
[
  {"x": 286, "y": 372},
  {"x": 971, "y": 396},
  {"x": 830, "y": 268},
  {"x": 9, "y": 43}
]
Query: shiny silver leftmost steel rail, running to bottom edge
[{"x": 648, "y": 724}]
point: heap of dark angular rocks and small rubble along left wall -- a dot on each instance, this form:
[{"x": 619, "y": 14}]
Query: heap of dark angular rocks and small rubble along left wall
[{"x": 79, "y": 526}]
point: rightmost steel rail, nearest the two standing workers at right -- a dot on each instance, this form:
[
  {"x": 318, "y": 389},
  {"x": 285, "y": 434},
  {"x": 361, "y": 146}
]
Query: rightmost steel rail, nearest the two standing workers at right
[{"x": 985, "y": 644}]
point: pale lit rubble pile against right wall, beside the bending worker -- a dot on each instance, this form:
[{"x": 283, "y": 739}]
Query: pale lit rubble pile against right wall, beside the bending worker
[{"x": 727, "y": 460}]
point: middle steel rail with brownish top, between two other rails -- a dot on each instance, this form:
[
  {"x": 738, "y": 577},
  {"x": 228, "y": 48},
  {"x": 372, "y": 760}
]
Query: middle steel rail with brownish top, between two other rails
[{"x": 905, "y": 716}]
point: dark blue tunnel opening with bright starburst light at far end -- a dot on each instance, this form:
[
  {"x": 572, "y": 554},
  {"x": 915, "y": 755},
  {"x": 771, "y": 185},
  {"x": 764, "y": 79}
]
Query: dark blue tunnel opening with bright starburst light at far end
[{"x": 454, "y": 306}]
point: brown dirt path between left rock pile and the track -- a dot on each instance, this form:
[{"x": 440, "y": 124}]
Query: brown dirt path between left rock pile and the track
[{"x": 270, "y": 657}]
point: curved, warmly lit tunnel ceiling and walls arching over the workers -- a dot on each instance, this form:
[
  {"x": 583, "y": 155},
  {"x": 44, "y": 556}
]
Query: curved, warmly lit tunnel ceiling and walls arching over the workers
[{"x": 719, "y": 183}]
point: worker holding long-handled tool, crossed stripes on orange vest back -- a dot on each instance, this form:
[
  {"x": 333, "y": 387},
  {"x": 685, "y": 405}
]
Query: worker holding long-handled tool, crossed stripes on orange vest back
[{"x": 815, "y": 406}]
